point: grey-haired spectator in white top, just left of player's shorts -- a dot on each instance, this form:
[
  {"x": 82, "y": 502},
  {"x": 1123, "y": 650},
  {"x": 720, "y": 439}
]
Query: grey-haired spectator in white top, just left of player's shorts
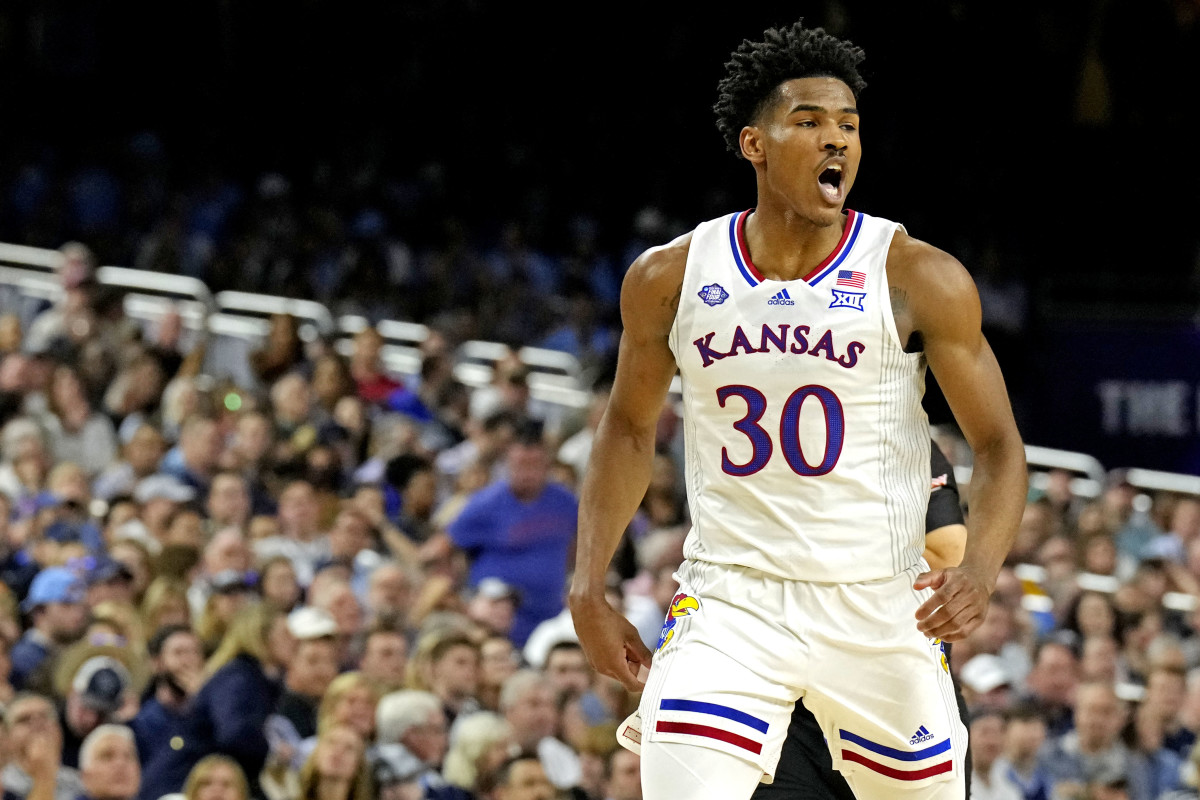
[{"x": 527, "y": 702}]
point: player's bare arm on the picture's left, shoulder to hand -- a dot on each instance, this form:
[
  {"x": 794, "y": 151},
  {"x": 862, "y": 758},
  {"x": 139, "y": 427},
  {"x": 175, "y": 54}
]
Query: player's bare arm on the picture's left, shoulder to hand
[{"x": 619, "y": 471}]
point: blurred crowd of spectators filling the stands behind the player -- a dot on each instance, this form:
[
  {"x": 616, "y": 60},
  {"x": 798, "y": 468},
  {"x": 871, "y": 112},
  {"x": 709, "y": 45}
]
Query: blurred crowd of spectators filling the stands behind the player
[{"x": 345, "y": 584}]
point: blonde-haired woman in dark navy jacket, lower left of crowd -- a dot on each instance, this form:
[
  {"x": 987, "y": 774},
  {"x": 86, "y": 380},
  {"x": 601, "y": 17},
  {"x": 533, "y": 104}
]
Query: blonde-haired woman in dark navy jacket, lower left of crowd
[{"x": 229, "y": 714}]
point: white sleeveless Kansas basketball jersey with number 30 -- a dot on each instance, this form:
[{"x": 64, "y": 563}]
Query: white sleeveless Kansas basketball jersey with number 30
[{"x": 807, "y": 444}]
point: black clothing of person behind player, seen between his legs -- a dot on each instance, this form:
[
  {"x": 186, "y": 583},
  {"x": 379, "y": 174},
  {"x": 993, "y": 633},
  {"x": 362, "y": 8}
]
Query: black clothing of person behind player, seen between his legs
[{"x": 806, "y": 769}]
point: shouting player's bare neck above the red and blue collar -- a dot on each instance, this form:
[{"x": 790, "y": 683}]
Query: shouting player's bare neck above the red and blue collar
[{"x": 787, "y": 246}]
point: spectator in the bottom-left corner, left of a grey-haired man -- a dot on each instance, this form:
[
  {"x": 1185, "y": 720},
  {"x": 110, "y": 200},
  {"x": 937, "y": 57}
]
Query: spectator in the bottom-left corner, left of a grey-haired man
[{"x": 35, "y": 745}]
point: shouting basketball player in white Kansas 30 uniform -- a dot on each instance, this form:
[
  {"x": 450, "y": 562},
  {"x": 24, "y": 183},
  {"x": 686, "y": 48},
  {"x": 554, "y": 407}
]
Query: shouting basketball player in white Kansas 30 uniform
[{"x": 801, "y": 334}]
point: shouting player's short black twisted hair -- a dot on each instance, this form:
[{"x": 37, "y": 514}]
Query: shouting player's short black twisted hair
[{"x": 757, "y": 70}]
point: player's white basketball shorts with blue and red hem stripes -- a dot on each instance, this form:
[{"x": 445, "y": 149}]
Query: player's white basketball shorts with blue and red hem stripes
[{"x": 740, "y": 647}]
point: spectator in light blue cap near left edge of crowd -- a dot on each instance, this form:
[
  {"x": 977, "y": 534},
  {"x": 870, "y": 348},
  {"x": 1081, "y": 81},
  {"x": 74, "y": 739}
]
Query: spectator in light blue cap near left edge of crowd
[{"x": 58, "y": 617}]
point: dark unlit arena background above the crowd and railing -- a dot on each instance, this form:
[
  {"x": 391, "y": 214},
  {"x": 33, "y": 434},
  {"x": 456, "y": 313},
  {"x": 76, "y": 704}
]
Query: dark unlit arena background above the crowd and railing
[{"x": 1051, "y": 147}]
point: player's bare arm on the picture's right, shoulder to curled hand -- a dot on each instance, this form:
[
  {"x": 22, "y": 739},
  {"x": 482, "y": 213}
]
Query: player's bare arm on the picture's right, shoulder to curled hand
[{"x": 938, "y": 298}]
